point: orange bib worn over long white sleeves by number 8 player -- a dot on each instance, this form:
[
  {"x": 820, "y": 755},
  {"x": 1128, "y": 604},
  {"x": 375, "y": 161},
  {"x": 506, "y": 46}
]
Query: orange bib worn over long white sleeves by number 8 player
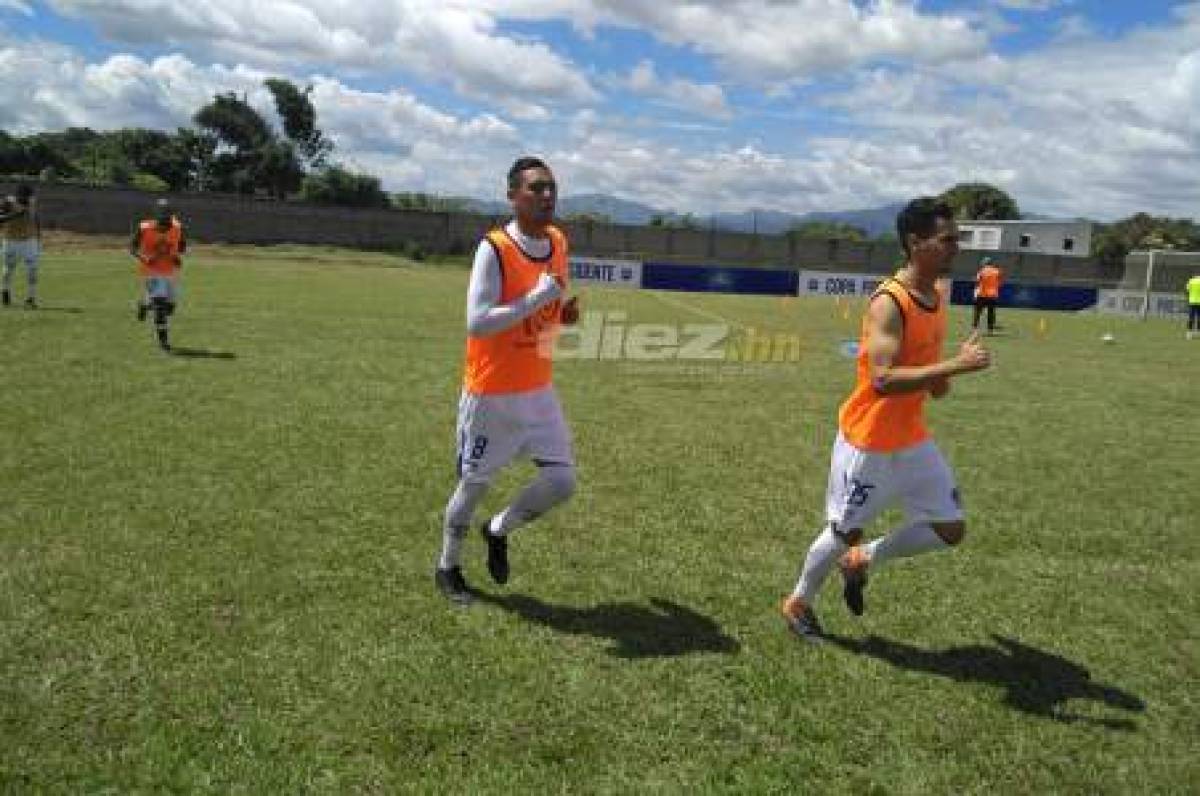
[{"x": 519, "y": 360}]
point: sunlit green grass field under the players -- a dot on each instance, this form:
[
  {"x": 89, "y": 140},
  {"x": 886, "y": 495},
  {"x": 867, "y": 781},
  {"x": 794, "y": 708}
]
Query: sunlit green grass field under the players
[{"x": 215, "y": 568}]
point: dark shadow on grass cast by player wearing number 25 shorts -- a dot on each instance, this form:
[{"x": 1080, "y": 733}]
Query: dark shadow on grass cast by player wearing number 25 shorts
[{"x": 1035, "y": 683}]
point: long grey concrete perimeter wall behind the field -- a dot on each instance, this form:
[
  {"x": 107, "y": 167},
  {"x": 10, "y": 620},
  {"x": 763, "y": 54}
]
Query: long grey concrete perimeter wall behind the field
[{"x": 215, "y": 218}]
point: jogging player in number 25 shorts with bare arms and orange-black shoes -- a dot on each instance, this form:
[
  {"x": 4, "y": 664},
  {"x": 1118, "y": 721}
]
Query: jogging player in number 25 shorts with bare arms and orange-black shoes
[{"x": 884, "y": 452}]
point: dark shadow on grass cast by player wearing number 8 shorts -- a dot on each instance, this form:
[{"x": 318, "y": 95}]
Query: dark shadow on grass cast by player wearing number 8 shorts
[{"x": 639, "y": 631}]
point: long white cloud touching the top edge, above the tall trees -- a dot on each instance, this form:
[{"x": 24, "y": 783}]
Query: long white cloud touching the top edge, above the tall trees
[{"x": 451, "y": 43}]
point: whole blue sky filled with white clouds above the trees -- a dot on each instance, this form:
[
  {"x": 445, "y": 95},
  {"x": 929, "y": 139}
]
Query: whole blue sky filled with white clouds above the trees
[{"x": 1076, "y": 107}]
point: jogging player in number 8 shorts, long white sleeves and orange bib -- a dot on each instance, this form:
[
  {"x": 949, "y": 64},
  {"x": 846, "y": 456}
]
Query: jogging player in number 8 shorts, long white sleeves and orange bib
[{"x": 508, "y": 406}]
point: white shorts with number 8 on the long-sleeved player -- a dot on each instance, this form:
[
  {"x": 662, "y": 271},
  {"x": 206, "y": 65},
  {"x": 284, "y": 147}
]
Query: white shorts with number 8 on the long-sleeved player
[{"x": 496, "y": 429}]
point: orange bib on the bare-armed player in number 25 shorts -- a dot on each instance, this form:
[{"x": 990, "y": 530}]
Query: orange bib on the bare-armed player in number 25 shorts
[{"x": 879, "y": 423}]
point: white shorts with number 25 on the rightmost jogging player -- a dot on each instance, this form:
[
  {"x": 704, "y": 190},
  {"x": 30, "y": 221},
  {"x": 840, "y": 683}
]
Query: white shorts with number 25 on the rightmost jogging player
[{"x": 862, "y": 484}]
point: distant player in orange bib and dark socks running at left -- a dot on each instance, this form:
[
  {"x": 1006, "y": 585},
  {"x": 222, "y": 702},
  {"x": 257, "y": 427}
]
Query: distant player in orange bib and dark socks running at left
[{"x": 159, "y": 246}]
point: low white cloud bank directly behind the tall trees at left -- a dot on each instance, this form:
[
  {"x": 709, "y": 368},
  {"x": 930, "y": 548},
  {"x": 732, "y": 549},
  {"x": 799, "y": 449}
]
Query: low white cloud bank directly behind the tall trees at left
[{"x": 410, "y": 143}]
